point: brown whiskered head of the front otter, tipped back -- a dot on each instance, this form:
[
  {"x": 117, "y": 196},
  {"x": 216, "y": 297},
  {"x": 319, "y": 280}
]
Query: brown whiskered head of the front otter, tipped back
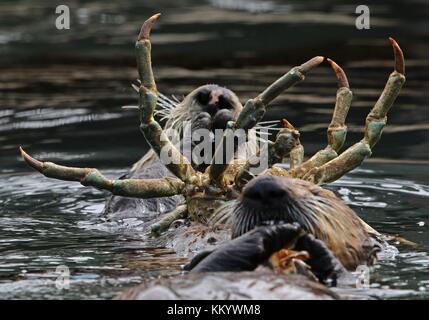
[{"x": 273, "y": 200}]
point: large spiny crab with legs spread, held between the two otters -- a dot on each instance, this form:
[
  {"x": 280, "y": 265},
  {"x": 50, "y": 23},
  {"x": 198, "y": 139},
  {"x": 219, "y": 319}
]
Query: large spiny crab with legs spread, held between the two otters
[{"x": 207, "y": 193}]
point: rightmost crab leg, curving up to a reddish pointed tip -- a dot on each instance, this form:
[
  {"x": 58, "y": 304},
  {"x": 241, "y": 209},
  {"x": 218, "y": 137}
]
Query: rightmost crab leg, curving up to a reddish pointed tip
[{"x": 375, "y": 121}]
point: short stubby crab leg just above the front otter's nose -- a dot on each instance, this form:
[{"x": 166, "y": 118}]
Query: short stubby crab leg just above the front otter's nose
[{"x": 271, "y": 153}]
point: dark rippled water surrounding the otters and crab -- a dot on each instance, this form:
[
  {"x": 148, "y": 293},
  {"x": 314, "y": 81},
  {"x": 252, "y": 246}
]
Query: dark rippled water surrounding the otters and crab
[{"x": 60, "y": 98}]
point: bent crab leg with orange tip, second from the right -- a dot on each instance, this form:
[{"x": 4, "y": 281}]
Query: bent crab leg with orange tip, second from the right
[{"x": 337, "y": 129}]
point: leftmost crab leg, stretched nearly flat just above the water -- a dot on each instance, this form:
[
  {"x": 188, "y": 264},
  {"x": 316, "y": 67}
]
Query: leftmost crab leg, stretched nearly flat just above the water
[{"x": 137, "y": 188}]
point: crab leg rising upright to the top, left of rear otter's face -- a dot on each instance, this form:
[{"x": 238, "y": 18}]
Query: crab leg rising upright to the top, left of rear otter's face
[{"x": 148, "y": 94}]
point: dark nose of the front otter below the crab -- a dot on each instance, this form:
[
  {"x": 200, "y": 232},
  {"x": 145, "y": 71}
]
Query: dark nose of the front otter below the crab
[{"x": 267, "y": 192}]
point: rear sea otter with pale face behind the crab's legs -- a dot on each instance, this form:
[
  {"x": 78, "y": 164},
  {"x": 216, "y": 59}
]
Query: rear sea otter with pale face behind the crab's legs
[{"x": 207, "y": 107}]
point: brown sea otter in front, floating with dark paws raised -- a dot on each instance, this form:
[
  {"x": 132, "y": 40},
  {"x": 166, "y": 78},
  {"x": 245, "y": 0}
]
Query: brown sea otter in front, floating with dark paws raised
[{"x": 275, "y": 214}]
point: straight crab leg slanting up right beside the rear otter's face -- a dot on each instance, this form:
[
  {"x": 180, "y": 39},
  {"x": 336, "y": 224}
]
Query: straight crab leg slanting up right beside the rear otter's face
[{"x": 254, "y": 110}]
